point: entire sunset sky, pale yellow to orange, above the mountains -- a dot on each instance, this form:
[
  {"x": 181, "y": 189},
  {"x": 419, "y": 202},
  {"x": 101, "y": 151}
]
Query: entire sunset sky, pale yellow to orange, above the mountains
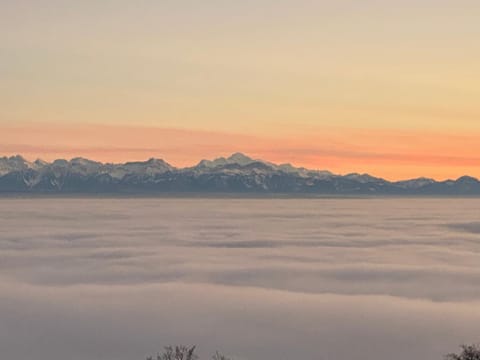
[{"x": 385, "y": 87}]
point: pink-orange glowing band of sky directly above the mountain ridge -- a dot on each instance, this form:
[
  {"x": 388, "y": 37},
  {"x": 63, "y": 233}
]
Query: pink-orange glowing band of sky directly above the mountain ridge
[{"x": 386, "y": 153}]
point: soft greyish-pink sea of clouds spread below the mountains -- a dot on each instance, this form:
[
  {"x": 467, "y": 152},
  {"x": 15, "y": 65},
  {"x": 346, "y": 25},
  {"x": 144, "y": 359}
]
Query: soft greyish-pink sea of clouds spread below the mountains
[{"x": 259, "y": 279}]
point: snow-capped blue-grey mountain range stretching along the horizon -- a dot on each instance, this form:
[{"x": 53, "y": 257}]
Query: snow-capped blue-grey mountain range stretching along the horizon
[{"x": 235, "y": 174}]
